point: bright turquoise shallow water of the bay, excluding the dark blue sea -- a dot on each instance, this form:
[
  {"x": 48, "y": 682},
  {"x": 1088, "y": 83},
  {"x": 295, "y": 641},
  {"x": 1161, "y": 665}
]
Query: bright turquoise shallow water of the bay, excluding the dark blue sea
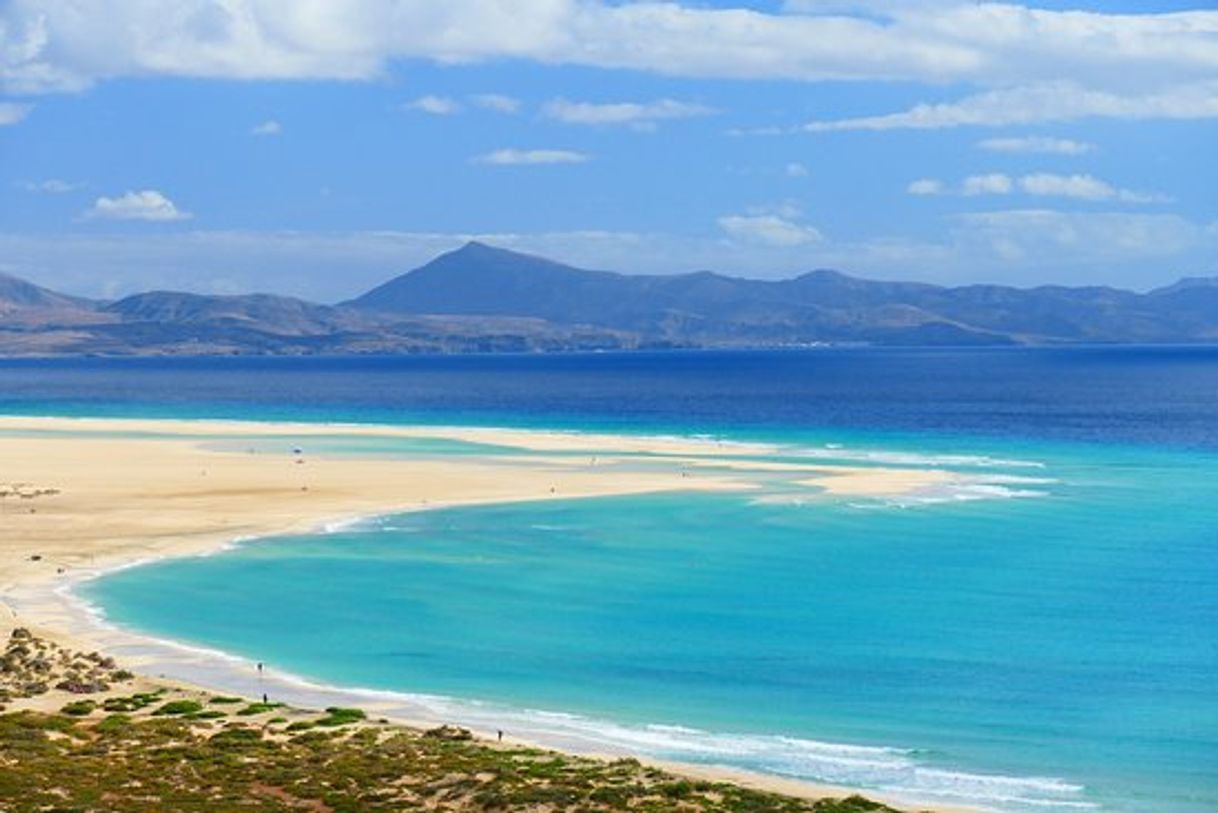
[{"x": 1044, "y": 638}]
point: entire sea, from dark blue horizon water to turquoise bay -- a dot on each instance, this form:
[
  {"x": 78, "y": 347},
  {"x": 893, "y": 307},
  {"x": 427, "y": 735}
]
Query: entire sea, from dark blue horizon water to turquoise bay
[{"x": 1046, "y": 639}]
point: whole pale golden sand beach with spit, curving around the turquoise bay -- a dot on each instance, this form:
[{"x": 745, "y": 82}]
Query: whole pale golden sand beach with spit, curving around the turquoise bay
[{"x": 87, "y": 503}]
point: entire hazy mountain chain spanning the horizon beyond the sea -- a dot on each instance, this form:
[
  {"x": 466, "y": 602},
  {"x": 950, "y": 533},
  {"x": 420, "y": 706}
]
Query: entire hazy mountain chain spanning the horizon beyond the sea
[{"x": 484, "y": 299}]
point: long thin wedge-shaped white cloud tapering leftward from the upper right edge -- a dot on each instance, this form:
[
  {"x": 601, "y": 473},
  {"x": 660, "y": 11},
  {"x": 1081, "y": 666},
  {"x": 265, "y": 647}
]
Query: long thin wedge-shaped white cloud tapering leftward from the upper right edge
[{"x": 1048, "y": 102}]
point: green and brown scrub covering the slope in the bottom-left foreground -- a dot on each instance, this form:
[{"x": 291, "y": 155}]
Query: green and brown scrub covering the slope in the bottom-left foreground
[{"x": 167, "y": 748}]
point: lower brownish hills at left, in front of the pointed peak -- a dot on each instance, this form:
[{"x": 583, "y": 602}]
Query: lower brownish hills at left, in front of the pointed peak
[{"x": 36, "y": 321}]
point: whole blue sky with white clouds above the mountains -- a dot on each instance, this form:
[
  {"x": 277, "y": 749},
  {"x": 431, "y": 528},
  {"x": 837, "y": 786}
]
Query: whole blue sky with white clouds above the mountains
[{"x": 319, "y": 148}]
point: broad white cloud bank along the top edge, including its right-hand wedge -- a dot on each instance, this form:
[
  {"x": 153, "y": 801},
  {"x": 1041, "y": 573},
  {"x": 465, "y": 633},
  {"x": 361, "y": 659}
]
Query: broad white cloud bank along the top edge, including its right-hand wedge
[{"x": 1031, "y": 64}]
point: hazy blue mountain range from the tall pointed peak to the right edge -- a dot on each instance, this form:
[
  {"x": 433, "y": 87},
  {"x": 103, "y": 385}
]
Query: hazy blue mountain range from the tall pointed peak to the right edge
[{"x": 818, "y": 307}]
